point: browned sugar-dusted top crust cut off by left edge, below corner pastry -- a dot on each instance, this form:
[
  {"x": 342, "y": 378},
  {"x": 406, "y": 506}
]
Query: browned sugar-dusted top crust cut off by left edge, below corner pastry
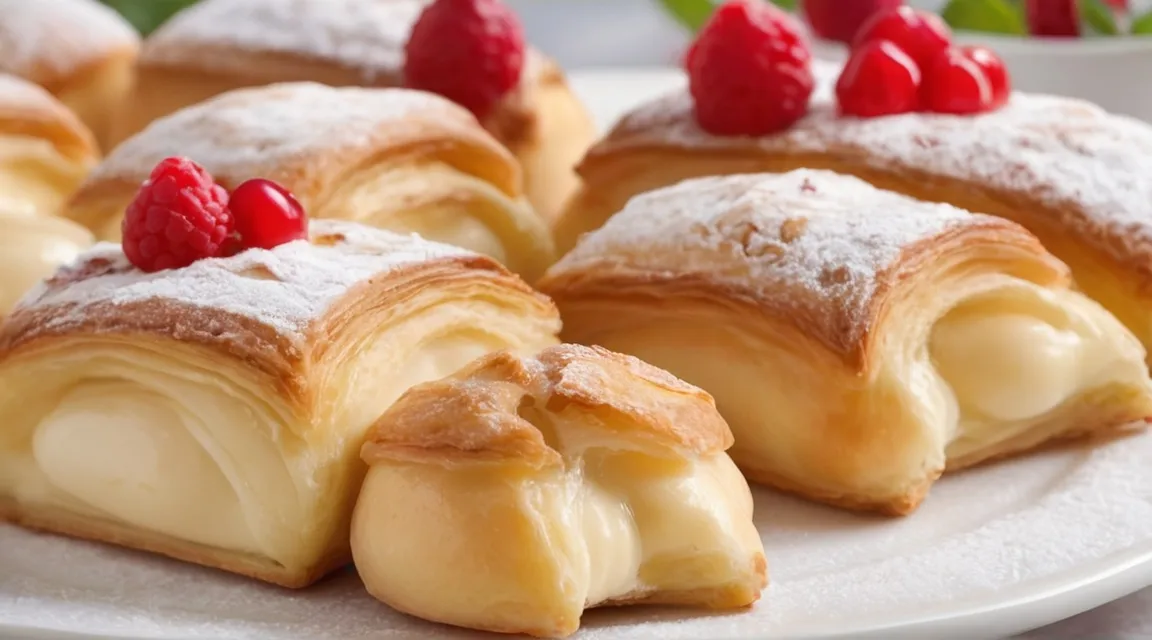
[{"x": 28, "y": 110}]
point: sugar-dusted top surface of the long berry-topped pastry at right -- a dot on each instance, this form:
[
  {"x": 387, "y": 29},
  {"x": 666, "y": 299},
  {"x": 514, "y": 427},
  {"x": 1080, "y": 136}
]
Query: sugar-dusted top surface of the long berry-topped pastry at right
[{"x": 1088, "y": 166}]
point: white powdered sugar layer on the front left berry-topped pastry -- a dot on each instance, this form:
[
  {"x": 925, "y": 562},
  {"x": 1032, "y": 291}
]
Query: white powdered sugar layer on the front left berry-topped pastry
[{"x": 285, "y": 288}]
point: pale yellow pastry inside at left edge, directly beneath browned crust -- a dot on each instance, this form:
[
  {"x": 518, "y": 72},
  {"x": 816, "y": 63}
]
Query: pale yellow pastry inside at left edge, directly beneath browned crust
[{"x": 35, "y": 178}]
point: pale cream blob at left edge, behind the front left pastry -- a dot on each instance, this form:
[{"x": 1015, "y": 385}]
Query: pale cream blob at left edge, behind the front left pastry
[{"x": 32, "y": 249}]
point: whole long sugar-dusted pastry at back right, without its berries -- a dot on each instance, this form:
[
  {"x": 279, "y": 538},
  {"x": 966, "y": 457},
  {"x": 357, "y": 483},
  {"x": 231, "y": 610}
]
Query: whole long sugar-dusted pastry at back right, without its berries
[{"x": 1073, "y": 174}]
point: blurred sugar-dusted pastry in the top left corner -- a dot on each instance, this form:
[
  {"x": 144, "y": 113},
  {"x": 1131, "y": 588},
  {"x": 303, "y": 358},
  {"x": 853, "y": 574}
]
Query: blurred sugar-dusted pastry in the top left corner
[{"x": 81, "y": 51}]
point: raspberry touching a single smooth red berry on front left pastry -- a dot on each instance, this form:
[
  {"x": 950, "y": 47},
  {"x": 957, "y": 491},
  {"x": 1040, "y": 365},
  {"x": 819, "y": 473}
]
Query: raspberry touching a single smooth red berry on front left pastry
[{"x": 179, "y": 216}]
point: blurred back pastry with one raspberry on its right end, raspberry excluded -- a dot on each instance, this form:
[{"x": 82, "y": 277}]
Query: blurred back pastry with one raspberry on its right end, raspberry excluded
[{"x": 221, "y": 45}]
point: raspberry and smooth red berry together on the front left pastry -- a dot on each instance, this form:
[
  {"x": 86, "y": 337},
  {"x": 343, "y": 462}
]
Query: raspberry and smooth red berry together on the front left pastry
[{"x": 180, "y": 216}]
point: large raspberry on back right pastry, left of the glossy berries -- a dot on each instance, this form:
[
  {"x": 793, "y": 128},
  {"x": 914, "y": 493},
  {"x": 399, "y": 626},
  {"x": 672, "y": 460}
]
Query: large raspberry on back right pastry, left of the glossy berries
[{"x": 751, "y": 71}]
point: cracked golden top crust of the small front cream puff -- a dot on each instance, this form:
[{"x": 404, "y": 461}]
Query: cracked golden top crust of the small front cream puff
[{"x": 473, "y": 416}]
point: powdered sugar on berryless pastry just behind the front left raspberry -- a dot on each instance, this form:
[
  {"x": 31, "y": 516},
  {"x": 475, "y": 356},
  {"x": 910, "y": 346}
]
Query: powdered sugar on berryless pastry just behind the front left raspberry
[{"x": 264, "y": 132}]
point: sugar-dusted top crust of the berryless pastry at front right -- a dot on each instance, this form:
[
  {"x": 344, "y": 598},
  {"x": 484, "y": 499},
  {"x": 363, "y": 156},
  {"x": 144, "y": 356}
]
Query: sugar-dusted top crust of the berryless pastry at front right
[{"x": 815, "y": 247}]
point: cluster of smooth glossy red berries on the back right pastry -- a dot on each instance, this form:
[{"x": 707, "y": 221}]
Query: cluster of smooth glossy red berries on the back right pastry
[{"x": 904, "y": 62}]
